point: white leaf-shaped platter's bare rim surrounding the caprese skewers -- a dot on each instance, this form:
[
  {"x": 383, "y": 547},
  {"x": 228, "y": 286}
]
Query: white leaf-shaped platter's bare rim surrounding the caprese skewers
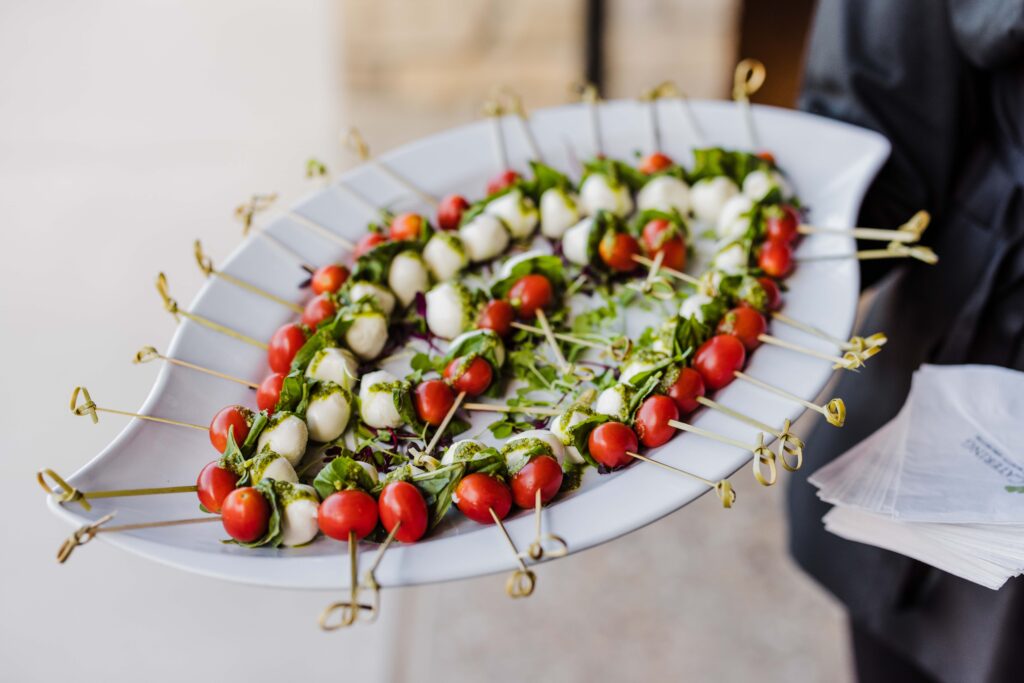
[{"x": 830, "y": 164}]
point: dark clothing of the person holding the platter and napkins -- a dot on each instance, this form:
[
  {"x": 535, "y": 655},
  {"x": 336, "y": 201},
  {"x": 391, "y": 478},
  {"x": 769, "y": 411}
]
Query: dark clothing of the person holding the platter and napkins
[{"x": 945, "y": 81}]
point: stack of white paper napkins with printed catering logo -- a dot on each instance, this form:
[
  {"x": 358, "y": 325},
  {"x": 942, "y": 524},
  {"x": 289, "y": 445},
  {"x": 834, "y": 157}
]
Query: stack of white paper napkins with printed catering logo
[{"x": 944, "y": 482}]
